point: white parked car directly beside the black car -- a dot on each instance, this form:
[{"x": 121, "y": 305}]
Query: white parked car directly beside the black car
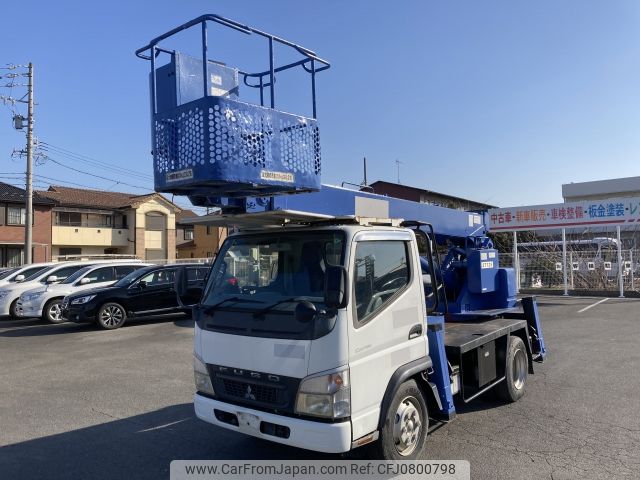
[{"x": 45, "y": 301}]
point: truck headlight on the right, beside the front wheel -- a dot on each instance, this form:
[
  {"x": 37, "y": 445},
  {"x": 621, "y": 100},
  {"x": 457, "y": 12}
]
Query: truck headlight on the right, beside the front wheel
[{"x": 327, "y": 395}]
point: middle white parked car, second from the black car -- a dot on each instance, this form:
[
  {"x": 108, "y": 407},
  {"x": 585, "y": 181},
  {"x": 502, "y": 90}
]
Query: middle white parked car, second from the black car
[{"x": 54, "y": 273}]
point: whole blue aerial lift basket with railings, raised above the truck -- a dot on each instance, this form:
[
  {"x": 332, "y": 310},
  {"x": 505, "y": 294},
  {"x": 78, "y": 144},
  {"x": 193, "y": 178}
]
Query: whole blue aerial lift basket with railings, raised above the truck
[{"x": 213, "y": 147}]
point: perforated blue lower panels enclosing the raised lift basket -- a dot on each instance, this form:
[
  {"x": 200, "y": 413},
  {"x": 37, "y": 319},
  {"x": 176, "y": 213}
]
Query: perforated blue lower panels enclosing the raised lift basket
[{"x": 218, "y": 146}]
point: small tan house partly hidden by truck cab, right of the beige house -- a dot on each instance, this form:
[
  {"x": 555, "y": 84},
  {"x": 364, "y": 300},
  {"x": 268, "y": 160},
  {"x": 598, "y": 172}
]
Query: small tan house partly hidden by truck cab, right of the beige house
[{"x": 197, "y": 241}]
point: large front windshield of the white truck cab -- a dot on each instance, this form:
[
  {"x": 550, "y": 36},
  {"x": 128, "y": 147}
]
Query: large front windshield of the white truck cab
[{"x": 258, "y": 280}]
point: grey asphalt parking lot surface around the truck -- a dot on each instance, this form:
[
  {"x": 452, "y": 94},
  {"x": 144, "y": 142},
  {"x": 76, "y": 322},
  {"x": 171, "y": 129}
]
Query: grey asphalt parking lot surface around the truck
[{"x": 78, "y": 402}]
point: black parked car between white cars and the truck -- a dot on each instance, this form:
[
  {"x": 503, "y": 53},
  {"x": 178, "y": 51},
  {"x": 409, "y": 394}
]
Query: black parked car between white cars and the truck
[{"x": 147, "y": 291}]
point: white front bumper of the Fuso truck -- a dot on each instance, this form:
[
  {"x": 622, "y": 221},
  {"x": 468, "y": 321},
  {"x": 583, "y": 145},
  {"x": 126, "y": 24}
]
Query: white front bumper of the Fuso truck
[{"x": 316, "y": 436}]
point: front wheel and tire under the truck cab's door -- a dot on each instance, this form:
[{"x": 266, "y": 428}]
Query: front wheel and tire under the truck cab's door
[{"x": 407, "y": 411}]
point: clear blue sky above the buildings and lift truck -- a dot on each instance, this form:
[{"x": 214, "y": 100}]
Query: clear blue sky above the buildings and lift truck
[{"x": 498, "y": 101}]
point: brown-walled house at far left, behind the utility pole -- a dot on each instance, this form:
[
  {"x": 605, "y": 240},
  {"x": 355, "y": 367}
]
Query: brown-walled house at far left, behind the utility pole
[{"x": 12, "y": 218}]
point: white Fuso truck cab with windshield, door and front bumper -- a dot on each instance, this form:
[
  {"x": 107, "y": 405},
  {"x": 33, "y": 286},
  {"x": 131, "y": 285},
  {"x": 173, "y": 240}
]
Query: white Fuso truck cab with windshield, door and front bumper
[{"x": 279, "y": 357}]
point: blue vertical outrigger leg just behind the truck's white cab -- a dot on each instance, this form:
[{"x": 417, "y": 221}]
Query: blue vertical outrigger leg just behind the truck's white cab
[{"x": 440, "y": 376}]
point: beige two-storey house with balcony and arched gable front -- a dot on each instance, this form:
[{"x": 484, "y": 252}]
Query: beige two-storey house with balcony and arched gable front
[{"x": 94, "y": 222}]
